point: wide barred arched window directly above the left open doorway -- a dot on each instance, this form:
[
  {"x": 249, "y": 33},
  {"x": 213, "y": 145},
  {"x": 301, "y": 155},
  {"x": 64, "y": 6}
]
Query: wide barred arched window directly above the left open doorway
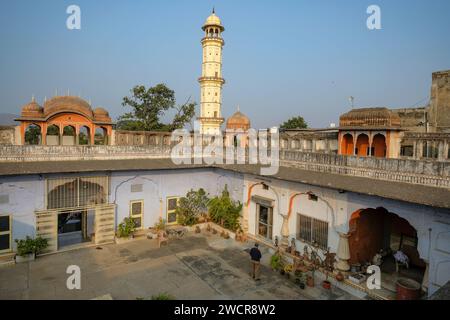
[{"x": 77, "y": 192}]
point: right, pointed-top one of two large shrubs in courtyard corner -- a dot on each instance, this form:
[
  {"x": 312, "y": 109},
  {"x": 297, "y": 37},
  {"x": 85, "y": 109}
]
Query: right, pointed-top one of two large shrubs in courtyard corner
[{"x": 224, "y": 211}]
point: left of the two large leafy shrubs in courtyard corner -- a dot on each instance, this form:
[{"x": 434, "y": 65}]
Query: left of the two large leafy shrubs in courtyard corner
[{"x": 192, "y": 207}]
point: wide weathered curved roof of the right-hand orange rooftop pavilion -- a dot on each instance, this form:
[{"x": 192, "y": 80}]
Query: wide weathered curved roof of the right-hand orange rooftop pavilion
[{"x": 369, "y": 117}]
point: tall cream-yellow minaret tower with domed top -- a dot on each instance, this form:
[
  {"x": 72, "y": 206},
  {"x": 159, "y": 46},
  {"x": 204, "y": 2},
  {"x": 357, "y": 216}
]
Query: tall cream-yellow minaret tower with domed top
[{"x": 211, "y": 80}]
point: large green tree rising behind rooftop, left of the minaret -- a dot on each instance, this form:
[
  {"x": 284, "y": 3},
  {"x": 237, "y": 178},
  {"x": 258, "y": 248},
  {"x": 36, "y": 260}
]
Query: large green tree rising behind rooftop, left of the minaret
[{"x": 149, "y": 105}]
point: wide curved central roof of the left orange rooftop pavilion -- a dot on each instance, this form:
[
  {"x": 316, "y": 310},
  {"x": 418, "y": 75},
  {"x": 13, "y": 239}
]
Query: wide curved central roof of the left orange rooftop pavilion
[{"x": 67, "y": 104}]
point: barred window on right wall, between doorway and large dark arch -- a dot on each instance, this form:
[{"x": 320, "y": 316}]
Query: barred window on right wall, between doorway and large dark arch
[{"x": 313, "y": 231}]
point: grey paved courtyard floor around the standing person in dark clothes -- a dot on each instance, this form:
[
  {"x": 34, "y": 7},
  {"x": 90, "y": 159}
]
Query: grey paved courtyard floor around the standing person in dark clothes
[{"x": 199, "y": 266}]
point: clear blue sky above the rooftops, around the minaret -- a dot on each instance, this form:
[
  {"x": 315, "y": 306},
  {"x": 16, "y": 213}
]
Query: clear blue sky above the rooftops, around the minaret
[{"x": 281, "y": 58}]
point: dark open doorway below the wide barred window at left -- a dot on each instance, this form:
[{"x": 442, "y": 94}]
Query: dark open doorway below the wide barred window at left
[{"x": 75, "y": 227}]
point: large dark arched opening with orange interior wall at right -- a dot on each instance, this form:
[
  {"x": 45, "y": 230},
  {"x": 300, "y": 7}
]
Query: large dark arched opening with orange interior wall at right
[{"x": 372, "y": 231}]
